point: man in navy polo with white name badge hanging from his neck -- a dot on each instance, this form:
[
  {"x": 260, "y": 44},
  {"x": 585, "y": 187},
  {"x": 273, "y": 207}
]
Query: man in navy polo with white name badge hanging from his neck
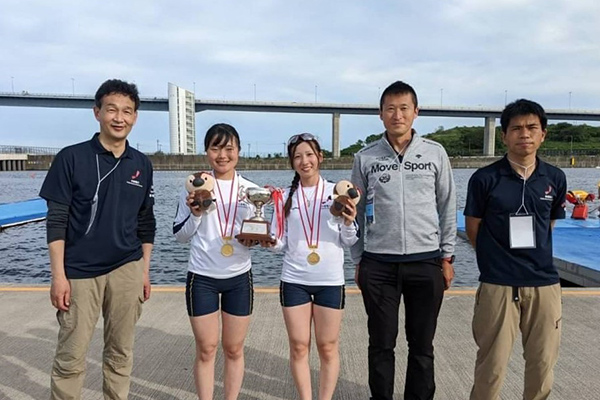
[{"x": 511, "y": 208}]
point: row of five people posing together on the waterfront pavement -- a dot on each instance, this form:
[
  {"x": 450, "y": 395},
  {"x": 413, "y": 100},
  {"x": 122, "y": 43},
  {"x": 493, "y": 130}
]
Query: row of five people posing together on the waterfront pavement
[{"x": 401, "y": 236}]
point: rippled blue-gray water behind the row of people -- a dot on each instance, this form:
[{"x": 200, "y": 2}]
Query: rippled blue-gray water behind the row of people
[{"x": 25, "y": 257}]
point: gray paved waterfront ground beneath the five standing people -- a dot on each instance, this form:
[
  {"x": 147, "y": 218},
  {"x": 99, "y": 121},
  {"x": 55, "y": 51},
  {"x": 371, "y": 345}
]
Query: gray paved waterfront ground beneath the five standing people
[{"x": 164, "y": 350}]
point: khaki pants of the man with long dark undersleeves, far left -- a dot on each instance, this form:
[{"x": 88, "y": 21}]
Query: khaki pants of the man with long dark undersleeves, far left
[{"x": 120, "y": 295}]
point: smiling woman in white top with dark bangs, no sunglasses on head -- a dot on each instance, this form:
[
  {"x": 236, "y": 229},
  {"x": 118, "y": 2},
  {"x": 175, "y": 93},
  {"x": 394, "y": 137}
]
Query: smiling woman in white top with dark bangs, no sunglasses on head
[{"x": 218, "y": 265}]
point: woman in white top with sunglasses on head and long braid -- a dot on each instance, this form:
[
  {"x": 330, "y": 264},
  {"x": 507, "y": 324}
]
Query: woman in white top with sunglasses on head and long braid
[{"x": 312, "y": 278}]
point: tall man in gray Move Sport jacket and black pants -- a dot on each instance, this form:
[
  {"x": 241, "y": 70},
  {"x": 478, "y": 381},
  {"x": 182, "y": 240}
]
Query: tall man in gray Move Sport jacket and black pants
[{"x": 409, "y": 209}]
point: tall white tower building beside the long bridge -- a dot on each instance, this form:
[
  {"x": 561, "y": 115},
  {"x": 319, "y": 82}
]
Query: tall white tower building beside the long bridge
[{"x": 182, "y": 120}]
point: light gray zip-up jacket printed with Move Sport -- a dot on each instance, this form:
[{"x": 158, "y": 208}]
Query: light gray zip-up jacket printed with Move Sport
[{"x": 413, "y": 203}]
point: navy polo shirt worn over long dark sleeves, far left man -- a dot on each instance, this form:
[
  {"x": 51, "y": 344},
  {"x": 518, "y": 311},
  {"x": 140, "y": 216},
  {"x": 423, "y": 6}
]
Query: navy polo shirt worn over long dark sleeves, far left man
[{"x": 112, "y": 239}]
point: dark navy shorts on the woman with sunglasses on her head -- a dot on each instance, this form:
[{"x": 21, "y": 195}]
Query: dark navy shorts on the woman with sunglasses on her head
[{"x": 294, "y": 294}]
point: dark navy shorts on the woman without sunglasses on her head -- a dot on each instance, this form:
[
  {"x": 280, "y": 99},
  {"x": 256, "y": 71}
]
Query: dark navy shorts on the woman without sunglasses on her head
[{"x": 202, "y": 294}]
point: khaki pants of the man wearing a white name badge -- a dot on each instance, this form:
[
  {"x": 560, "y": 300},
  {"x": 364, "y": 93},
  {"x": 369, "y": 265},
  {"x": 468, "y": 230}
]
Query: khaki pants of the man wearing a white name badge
[{"x": 496, "y": 322}]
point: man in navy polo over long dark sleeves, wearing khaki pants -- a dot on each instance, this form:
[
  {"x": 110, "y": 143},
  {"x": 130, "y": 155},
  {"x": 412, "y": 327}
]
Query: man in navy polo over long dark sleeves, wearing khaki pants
[{"x": 100, "y": 230}]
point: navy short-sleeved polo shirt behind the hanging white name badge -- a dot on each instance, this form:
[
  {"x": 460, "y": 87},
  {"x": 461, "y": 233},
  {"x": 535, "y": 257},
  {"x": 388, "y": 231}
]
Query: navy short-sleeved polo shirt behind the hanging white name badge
[{"x": 494, "y": 193}]
